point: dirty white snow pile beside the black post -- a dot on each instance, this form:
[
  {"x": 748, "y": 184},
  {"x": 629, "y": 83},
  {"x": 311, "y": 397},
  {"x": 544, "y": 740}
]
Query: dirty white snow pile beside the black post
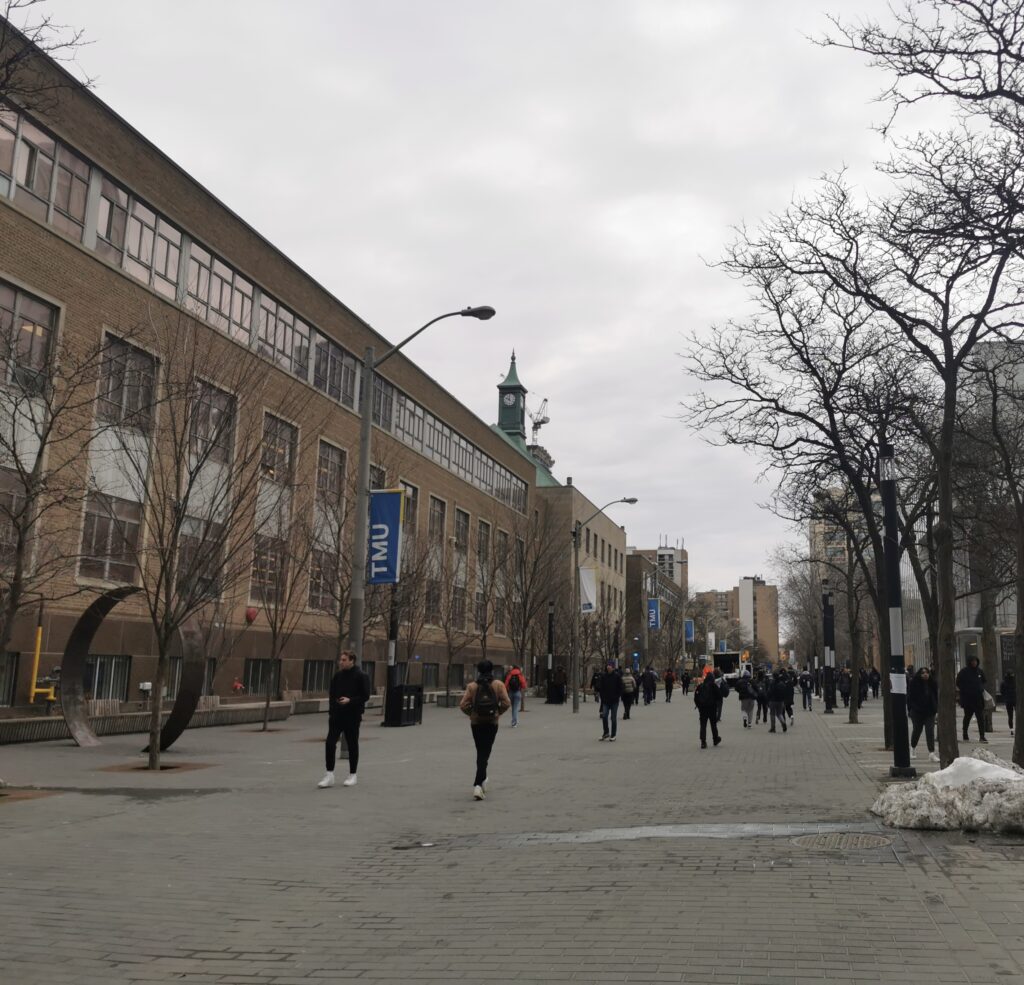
[{"x": 976, "y": 793}]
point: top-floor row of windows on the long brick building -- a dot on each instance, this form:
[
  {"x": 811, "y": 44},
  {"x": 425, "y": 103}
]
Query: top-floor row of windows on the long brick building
[{"x": 56, "y": 186}]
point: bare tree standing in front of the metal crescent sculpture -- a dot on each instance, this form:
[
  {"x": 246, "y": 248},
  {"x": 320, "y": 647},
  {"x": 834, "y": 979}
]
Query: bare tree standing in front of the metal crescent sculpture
[{"x": 177, "y": 483}]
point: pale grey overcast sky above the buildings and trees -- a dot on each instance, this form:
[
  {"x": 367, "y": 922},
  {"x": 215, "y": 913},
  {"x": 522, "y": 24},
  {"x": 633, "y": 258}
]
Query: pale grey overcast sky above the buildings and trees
[{"x": 574, "y": 163}]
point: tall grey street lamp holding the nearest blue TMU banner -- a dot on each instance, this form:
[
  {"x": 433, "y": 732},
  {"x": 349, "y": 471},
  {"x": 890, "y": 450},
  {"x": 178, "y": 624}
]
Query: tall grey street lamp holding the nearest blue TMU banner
[{"x": 358, "y": 601}]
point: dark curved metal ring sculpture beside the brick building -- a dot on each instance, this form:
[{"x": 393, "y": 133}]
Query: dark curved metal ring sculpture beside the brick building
[{"x": 73, "y": 673}]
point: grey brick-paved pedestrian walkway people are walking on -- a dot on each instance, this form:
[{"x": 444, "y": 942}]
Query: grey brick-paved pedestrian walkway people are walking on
[{"x": 244, "y": 873}]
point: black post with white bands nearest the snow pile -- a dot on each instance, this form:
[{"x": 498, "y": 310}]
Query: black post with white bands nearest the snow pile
[{"x": 898, "y": 669}]
